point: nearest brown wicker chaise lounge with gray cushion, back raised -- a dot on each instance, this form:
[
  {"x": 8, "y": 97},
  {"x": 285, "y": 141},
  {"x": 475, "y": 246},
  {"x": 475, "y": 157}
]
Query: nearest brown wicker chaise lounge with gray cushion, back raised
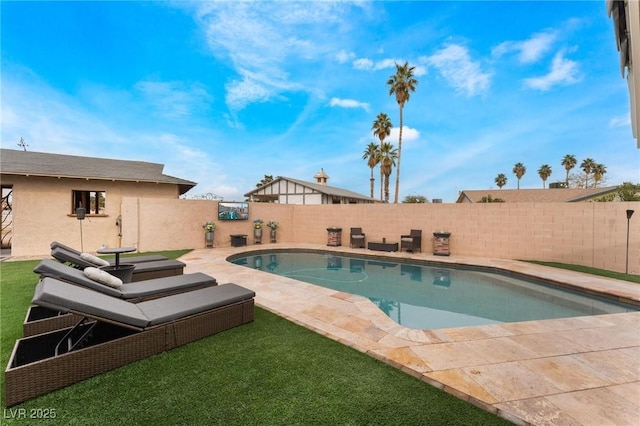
[{"x": 123, "y": 332}]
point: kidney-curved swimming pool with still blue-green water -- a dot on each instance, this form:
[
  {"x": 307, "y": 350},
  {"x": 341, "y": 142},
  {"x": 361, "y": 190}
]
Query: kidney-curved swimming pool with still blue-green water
[{"x": 431, "y": 296}]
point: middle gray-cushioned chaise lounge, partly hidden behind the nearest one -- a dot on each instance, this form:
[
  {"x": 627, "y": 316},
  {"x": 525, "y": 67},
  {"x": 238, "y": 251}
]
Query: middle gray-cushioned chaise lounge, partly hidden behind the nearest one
[{"x": 41, "y": 320}]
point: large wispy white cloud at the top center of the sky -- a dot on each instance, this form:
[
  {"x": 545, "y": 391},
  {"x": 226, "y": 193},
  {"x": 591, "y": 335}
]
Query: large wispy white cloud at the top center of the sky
[{"x": 261, "y": 39}]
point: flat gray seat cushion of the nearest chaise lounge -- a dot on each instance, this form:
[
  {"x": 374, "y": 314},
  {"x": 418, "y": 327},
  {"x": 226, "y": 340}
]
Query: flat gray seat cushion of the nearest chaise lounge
[{"x": 184, "y": 304}]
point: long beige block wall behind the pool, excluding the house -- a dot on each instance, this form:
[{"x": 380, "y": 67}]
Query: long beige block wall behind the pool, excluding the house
[{"x": 590, "y": 234}]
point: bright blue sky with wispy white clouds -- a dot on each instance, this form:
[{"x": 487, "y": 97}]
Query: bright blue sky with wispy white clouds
[{"x": 224, "y": 93}]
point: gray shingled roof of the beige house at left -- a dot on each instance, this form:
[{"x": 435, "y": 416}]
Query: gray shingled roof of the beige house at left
[{"x": 27, "y": 163}]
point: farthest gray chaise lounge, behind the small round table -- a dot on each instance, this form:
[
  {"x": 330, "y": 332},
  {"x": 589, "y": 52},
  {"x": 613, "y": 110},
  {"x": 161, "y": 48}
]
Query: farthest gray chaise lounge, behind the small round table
[{"x": 142, "y": 271}]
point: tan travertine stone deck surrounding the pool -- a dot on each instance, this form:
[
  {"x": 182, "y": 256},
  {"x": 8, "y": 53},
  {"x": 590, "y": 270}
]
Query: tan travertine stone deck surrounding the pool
[{"x": 573, "y": 371}]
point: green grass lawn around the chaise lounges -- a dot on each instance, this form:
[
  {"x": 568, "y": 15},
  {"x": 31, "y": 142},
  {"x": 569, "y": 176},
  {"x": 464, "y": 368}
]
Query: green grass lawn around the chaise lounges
[{"x": 268, "y": 372}]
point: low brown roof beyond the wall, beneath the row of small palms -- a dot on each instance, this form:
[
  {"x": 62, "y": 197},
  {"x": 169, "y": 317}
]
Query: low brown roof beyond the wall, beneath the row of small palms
[{"x": 558, "y": 195}]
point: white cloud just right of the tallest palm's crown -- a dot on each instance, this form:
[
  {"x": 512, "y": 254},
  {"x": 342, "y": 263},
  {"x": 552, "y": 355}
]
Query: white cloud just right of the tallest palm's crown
[{"x": 455, "y": 65}]
